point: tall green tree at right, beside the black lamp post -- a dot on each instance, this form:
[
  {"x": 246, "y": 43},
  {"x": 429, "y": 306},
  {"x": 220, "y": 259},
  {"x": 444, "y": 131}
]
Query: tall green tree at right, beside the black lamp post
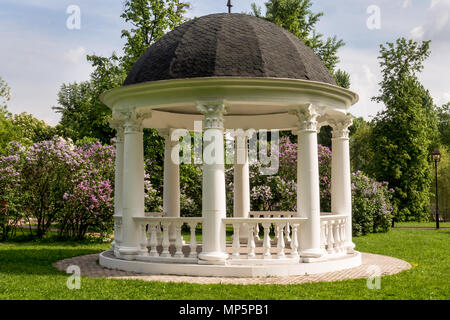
[{"x": 402, "y": 134}]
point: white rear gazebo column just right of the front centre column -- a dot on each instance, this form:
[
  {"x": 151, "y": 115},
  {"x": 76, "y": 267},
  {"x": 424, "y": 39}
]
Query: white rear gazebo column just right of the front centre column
[{"x": 241, "y": 203}]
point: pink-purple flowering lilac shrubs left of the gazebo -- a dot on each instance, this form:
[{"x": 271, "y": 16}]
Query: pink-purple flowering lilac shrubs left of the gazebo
[{"x": 56, "y": 183}]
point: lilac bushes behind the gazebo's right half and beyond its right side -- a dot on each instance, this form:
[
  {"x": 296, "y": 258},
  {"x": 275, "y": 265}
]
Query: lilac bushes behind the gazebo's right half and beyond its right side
[{"x": 372, "y": 210}]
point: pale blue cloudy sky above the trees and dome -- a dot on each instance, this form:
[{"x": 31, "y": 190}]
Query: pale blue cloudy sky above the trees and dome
[{"x": 38, "y": 52}]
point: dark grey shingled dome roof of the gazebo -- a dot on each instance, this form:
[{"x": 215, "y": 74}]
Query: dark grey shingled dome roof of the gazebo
[{"x": 228, "y": 45}]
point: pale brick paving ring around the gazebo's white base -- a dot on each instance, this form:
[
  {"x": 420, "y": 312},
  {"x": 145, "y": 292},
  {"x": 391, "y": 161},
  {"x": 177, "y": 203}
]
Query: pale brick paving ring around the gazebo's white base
[{"x": 384, "y": 265}]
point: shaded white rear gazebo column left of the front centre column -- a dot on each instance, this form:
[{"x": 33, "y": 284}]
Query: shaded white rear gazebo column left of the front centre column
[{"x": 171, "y": 191}]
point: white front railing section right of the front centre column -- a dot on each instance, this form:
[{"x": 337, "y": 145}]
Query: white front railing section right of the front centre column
[{"x": 249, "y": 245}]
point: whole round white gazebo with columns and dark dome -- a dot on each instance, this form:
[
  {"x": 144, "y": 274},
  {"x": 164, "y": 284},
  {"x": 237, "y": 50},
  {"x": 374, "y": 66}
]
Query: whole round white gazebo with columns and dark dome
[{"x": 230, "y": 71}]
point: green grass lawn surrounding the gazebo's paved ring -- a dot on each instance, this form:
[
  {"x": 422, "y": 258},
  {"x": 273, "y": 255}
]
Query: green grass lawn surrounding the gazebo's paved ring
[{"x": 26, "y": 273}]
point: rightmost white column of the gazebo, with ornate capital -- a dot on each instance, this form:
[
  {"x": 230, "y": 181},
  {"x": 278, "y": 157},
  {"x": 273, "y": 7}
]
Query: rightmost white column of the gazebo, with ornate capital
[{"x": 341, "y": 191}]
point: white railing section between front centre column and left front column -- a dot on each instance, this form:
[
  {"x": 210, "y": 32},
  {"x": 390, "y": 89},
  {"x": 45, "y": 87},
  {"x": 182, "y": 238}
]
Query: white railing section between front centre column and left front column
[{"x": 154, "y": 234}]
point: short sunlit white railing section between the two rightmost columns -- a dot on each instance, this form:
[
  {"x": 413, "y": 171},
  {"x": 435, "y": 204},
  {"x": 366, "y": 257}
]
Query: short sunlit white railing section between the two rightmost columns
[{"x": 332, "y": 233}]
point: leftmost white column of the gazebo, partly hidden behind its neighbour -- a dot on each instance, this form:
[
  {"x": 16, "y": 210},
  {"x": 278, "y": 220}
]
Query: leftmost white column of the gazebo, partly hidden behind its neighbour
[{"x": 118, "y": 204}]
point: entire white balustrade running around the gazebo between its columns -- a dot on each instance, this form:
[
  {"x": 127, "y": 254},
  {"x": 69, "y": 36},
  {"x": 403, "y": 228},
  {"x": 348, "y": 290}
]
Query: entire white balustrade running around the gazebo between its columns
[{"x": 155, "y": 244}]
